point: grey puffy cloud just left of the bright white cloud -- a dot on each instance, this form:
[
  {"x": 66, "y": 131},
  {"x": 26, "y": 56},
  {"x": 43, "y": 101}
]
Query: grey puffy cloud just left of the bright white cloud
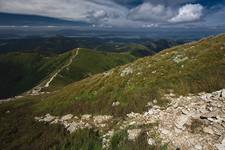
[{"x": 151, "y": 13}]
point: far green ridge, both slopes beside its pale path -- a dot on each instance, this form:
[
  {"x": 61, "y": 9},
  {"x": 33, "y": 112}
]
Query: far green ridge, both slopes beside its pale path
[{"x": 23, "y": 71}]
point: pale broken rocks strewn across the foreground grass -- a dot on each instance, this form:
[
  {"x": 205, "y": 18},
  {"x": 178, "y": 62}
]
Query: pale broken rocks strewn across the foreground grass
[{"x": 192, "y": 122}]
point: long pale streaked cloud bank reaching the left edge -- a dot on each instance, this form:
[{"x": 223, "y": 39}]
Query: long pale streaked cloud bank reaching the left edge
[{"x": 67, "y": 9}]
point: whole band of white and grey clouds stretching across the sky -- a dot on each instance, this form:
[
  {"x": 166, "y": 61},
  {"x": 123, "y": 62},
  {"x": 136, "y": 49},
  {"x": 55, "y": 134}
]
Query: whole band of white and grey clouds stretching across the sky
[{"x": 108, "y": 12}]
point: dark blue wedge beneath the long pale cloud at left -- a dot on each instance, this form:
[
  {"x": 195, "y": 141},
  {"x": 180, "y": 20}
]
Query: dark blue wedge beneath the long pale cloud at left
[{"x": 8, "y": 19}]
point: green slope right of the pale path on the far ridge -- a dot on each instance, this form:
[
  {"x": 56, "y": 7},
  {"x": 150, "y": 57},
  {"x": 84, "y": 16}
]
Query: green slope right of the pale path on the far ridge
[{"x": 88, "y": 63}]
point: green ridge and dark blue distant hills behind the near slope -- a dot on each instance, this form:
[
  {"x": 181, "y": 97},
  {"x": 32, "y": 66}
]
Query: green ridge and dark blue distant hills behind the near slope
[{"x": 30, "y": 62}]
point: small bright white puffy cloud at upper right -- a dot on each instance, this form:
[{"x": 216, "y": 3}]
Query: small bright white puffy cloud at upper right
[{"x": 188, "y": 13}]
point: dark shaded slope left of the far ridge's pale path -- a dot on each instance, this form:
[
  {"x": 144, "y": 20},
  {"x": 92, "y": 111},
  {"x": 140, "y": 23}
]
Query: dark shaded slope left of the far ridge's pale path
[{"x": 22, "y": 71}]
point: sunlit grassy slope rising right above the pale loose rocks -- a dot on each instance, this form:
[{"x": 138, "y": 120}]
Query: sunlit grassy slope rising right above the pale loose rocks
[{"x": 152, "y": 76}]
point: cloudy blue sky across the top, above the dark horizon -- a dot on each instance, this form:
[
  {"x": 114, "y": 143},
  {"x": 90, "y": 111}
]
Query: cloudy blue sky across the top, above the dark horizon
[{"x": 125, "y": 13}]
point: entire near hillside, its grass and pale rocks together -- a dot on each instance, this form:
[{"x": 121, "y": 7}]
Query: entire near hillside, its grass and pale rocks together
[{"x": 156, "y": 102}]
